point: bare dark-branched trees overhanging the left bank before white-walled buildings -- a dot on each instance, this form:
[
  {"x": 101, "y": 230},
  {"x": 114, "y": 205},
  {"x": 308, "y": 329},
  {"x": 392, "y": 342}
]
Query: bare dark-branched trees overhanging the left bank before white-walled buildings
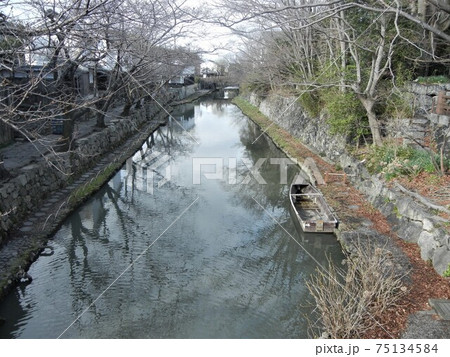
[{"x": 128, "y": 47}]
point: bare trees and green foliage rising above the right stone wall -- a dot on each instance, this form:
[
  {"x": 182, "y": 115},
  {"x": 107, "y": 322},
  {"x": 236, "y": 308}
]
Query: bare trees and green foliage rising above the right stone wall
[{"x": 328, "y": 52}]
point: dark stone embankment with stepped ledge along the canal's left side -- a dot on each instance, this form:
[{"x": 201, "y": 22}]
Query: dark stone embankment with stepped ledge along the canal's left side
[{"x": 43, "y": 194}]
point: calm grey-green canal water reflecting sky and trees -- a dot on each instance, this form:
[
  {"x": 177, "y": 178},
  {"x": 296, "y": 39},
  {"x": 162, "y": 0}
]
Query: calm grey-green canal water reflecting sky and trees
[{"x": 153, "y": 255}]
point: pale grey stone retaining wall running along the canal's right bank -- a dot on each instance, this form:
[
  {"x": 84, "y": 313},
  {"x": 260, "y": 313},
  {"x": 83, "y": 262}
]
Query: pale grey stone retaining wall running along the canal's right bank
[{"x": 409, "y": 217}]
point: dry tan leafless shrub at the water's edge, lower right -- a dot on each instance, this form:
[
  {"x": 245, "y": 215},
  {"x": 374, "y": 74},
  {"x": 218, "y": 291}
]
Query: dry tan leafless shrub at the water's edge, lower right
[{"x": 352, "y": 299}]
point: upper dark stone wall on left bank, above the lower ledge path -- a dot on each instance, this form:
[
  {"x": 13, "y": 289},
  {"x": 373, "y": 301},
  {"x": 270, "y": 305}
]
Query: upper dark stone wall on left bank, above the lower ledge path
[{"x": 20, "y": 195}]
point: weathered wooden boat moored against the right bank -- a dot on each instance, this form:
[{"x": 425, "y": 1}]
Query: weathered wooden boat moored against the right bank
[{"x": 311, "y": 209}]
